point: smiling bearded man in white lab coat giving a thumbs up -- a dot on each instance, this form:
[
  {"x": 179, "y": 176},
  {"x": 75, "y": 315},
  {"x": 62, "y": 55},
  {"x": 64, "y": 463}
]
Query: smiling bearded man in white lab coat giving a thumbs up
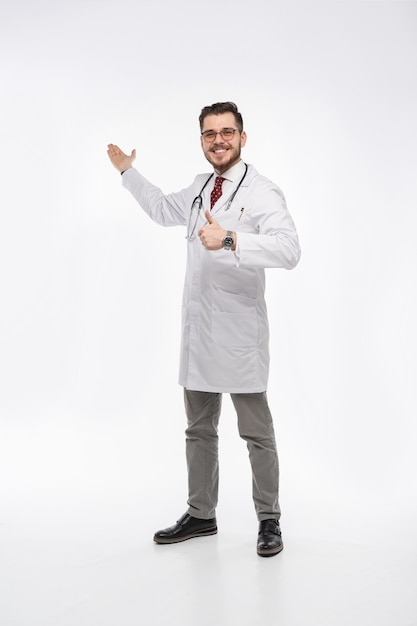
[{"x": 237, "y": 225}]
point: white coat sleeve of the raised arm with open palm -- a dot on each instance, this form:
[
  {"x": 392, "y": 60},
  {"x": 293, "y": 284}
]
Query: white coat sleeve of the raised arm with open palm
[{"x": 166, "y": 210}]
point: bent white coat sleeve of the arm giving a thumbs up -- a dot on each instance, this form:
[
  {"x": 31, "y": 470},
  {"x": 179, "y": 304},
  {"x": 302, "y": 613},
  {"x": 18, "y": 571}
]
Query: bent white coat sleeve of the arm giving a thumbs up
[{"x": 272, "y": 240}]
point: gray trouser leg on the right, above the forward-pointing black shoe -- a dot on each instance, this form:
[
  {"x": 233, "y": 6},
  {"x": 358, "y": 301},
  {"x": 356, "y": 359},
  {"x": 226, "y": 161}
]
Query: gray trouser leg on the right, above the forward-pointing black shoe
[{"x": 256, "y": 428}]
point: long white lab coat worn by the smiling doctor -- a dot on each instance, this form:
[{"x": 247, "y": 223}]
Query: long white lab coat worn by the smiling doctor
[{"x": 225, "y": 335}]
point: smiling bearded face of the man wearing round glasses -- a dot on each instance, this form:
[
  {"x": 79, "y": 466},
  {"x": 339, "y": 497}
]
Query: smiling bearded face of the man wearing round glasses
[{"x": 222, "y": 153}]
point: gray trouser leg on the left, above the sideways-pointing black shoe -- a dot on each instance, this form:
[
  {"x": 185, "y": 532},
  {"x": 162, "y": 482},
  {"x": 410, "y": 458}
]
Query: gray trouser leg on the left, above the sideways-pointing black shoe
[{"x": 203, "y": 412}]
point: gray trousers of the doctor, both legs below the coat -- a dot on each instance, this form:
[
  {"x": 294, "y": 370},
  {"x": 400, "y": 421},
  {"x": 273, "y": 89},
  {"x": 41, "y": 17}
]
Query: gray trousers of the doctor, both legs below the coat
[{"x": 255, "y": 427}]
